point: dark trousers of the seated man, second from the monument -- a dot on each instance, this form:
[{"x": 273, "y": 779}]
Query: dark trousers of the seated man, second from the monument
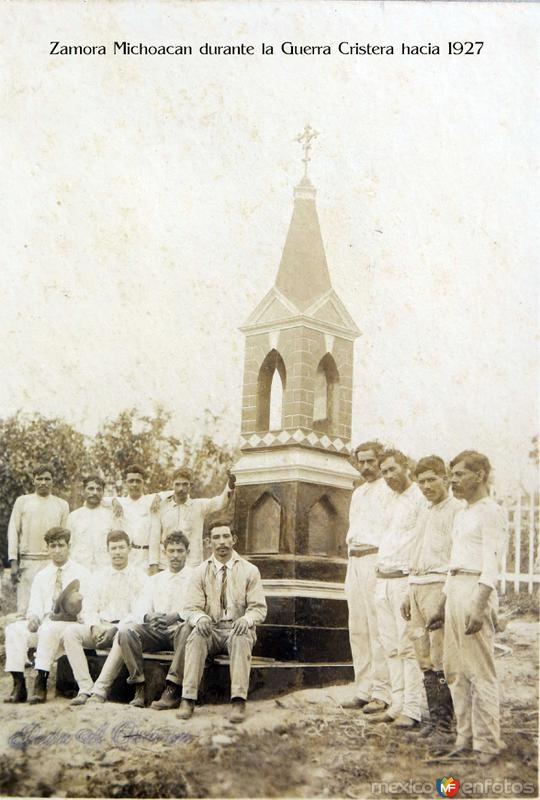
[{"x": 136, "y": 639}]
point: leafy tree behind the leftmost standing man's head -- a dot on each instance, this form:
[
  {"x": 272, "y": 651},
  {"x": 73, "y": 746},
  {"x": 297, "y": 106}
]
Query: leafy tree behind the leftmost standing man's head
[{"x": 27, "y": 440}]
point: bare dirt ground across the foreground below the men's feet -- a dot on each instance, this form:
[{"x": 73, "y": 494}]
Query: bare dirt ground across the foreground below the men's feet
[{"x": 300, "y": 745}]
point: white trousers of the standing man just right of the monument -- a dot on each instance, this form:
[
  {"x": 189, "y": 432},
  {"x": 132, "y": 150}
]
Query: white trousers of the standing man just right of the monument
[{"x": 372, "y": 681}]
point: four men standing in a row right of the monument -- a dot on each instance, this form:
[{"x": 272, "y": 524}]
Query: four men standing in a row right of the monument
[{"x": 421, "y": 590}]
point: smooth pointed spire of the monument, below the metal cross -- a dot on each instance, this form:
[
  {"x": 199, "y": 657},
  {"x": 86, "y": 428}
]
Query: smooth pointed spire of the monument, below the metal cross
[{"x": 303, "y": 274}]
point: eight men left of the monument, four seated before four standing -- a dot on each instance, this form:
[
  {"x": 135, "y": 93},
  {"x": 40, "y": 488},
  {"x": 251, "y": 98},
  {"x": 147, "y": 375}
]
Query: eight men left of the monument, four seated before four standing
[{"x": 128, "y": 574}]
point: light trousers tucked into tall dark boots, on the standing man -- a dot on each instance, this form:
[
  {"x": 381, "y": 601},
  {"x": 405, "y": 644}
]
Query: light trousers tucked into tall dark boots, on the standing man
[{"x": 428, "y": 645}]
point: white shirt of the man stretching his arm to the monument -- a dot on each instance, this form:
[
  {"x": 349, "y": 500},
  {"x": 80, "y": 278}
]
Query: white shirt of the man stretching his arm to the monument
[{"x": 189, "y": 518}]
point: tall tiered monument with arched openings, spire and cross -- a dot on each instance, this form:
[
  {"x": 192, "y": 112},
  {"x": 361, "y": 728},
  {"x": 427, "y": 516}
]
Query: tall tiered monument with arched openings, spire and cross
[{"x": 294, "y": 477}]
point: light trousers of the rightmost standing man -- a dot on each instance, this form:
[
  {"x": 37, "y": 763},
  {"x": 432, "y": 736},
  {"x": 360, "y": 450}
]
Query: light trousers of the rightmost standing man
[{"x": 469, "y": 667}]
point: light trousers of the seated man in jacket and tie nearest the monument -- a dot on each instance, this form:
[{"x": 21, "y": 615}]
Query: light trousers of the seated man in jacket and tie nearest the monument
[{"x": 221, "y": 640}]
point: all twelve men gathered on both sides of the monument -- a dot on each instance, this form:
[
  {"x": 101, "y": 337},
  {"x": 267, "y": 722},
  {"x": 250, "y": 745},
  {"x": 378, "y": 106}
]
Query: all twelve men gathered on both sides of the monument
[{"x": 128, "y": 573}]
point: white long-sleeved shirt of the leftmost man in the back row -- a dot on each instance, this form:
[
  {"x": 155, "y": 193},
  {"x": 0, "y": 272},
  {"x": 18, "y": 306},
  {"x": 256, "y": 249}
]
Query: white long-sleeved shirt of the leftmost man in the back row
[{"x": 31, "y": 518}]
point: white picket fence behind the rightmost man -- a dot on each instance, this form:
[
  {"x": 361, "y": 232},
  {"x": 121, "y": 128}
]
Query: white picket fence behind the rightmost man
[{"x": 521, "y": 565}]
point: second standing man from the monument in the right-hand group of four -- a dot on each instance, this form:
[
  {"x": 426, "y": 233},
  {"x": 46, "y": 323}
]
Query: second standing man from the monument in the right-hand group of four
[{"x": 392, "y": 586}]
